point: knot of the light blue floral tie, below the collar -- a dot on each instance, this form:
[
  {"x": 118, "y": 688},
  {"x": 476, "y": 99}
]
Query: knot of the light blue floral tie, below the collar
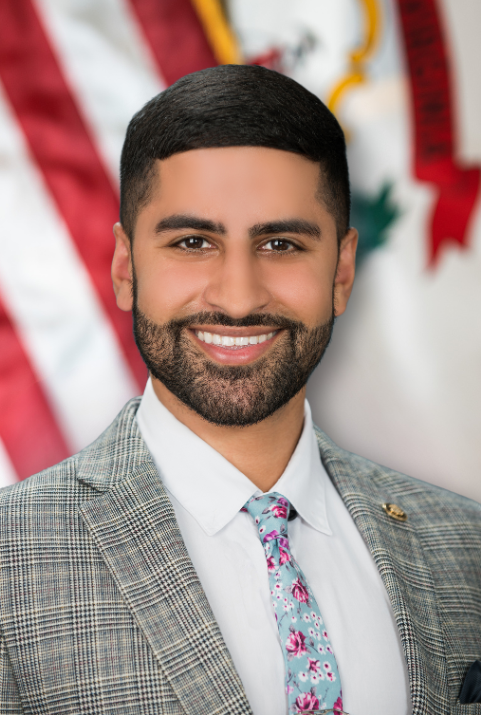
[{"x": 270, "y": 513}]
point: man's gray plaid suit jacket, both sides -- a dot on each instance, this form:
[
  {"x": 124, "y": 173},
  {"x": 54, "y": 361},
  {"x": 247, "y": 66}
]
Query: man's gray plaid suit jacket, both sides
[{"x": 102, "y": 612}]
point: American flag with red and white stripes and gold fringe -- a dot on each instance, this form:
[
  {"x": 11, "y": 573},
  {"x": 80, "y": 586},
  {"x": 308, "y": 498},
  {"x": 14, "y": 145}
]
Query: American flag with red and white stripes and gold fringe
[{"x": 71, "y": 76}]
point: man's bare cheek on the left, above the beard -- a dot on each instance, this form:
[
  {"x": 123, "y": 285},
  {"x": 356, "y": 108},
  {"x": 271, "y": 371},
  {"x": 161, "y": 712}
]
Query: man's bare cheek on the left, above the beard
[{"x": 169, "y": 289}]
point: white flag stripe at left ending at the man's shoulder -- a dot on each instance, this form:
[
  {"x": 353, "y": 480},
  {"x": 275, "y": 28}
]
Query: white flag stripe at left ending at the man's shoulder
[{"x": 51, "y": 299}]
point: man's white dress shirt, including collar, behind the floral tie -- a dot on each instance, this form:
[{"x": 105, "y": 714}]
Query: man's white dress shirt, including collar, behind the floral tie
[{"x": 207, "y": 493}]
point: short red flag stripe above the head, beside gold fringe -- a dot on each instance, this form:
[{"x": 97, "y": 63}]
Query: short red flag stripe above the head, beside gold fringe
[{"x": 175, "y": 35}]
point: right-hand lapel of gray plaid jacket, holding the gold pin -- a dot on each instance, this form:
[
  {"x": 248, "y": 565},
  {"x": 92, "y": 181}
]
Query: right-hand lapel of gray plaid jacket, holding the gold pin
[{"x": 397, "y": 551}]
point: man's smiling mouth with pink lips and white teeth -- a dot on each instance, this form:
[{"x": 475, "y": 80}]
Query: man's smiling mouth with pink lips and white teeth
[{"x": 235, "y": 346}]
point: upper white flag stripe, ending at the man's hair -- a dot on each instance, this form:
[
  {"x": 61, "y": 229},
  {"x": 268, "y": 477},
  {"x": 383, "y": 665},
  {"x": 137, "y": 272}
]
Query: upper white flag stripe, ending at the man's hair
[{"x": 107, "y": 63}]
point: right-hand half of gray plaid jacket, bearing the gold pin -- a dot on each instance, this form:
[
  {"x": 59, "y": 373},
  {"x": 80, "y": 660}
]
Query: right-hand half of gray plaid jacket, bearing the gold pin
[{"x": 431, "y": 568}]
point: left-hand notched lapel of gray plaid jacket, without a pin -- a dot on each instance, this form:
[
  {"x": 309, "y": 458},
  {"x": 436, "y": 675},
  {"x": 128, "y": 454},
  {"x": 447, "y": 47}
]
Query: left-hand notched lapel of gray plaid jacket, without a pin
[{"x": 134, "y": 526}]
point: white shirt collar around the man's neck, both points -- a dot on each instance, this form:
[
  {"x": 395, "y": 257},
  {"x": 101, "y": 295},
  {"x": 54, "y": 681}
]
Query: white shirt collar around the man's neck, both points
[{"x": 209, "y": 487}]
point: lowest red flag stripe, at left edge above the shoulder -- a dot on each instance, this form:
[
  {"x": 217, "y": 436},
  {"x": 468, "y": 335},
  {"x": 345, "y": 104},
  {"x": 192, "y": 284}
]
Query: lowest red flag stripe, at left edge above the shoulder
[{"x": 27, "y": 426}]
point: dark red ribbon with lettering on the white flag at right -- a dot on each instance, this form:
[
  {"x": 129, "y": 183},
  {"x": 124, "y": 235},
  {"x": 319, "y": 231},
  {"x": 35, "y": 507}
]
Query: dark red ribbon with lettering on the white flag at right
[{"x": 433, "y": 123}]
